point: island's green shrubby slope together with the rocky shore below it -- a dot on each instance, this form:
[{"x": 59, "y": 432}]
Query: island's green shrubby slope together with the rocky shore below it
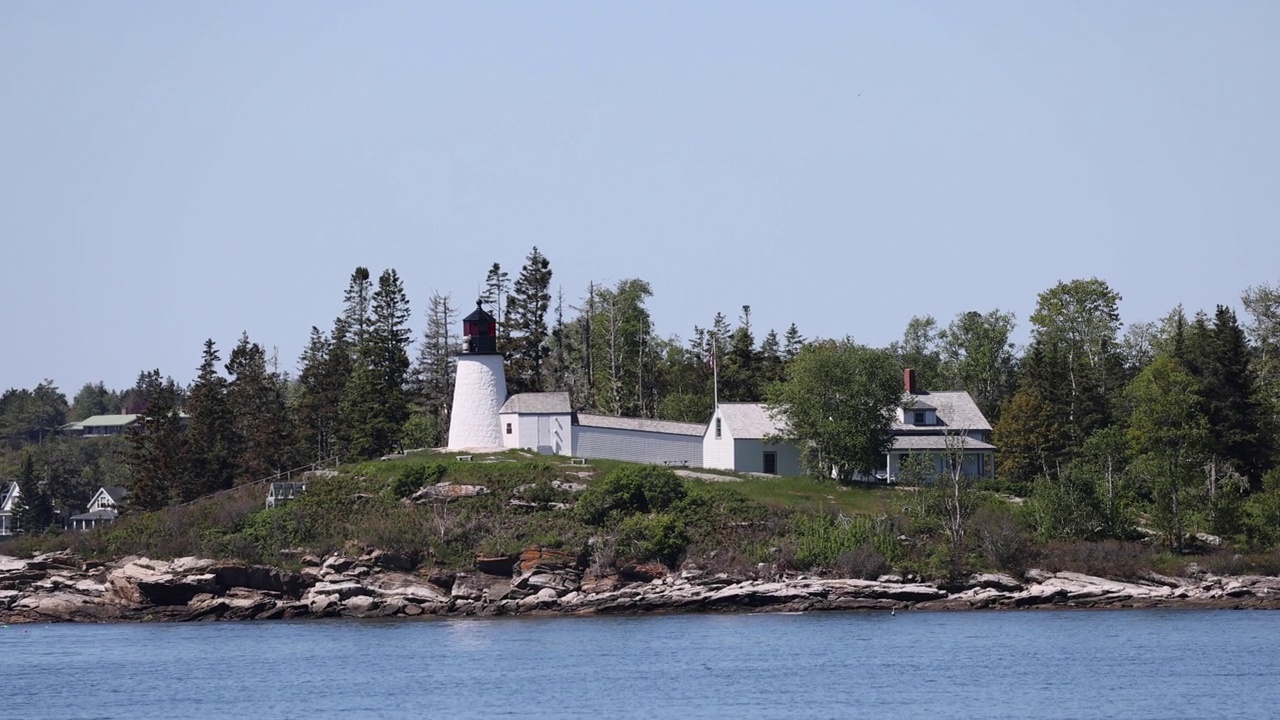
[{"x": 510, "y": 534}]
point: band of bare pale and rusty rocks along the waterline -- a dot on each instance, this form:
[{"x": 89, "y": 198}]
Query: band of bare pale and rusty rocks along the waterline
[{"x": 62, "y": 587}]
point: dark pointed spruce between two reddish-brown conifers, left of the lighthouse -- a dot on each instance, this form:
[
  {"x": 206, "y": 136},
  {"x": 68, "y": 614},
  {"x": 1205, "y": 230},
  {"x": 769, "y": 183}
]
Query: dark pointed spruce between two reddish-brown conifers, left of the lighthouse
[{"x": 211, "y": 431}]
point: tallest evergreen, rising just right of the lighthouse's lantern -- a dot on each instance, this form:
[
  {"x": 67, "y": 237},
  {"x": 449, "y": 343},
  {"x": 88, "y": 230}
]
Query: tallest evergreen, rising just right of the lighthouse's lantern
[{"x": 527, "y": 322}]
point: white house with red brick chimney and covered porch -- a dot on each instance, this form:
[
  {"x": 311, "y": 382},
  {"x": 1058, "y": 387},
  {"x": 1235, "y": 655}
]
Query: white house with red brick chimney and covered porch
[{"x": 940, "y": 426}]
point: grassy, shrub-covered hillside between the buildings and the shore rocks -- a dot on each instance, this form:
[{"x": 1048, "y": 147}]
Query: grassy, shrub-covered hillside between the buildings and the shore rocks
[{"x": 627, "y": 514}]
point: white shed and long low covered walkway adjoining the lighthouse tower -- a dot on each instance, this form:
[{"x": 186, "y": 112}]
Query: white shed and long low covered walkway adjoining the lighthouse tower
[{"x": 546, "y": 423}]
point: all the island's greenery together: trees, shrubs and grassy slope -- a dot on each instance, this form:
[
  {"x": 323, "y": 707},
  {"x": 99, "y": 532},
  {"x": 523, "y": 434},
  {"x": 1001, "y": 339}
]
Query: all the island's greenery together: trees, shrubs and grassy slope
[{"x": 1135, "y": 453}]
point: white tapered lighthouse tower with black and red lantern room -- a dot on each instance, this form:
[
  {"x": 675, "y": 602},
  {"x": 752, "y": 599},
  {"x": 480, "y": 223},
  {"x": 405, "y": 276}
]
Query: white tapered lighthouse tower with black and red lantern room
[{"x": 481, "y": 388}]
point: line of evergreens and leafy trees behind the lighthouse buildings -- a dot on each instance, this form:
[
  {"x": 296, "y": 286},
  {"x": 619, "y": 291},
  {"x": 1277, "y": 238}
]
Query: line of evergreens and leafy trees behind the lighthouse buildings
[{"x": 1172, "y": 422}]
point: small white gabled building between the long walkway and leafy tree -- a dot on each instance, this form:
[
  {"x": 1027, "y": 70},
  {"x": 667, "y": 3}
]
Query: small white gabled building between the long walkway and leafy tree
[{"x": 740, "y": 436}]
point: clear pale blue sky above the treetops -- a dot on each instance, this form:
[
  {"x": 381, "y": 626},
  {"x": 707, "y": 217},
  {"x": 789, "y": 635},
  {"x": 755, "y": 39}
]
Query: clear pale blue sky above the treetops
[{"x": 179, "y": 171}]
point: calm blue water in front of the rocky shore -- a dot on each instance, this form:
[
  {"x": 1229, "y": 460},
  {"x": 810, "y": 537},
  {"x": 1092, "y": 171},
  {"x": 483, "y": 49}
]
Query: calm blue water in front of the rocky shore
[{"x": 922, "y": 666}]
